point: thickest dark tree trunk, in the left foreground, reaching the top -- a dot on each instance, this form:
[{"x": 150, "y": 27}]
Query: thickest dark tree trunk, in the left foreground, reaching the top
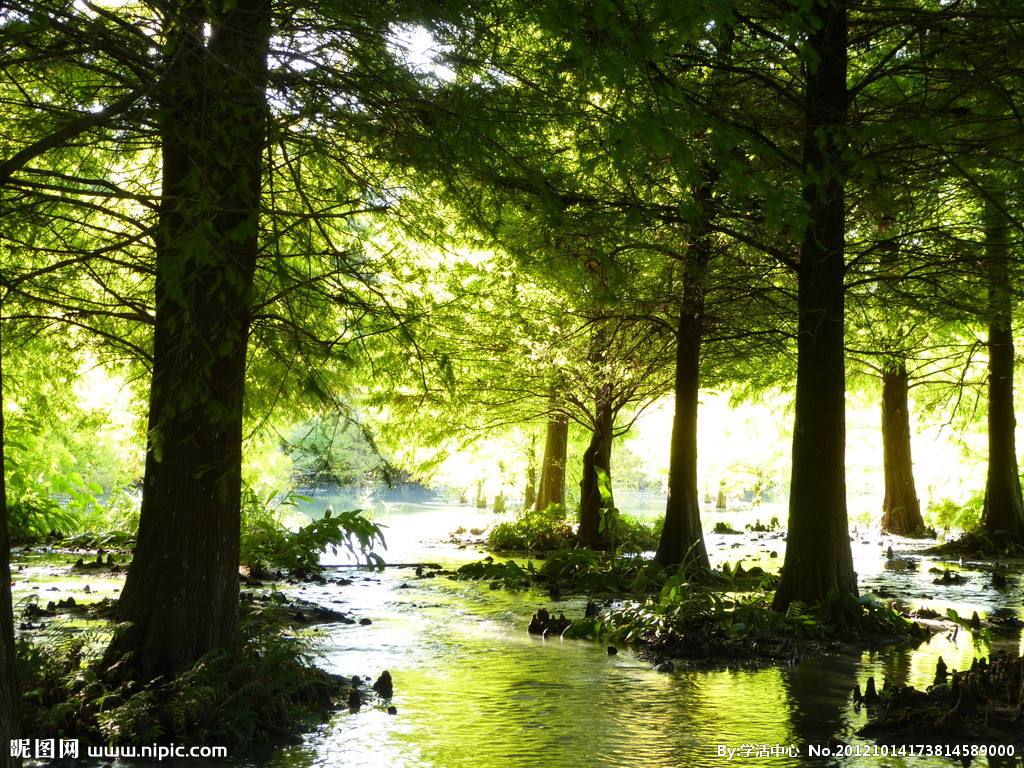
[{"x": 182, "y": 594}]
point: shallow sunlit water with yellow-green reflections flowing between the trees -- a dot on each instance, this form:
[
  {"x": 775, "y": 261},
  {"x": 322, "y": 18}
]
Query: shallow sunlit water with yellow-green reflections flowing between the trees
[{"x": 474, "y": 689}]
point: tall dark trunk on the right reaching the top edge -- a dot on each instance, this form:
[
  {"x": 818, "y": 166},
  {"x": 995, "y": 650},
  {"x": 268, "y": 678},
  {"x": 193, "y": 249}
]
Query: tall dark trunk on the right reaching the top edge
[{"x": 818, "y": 554}]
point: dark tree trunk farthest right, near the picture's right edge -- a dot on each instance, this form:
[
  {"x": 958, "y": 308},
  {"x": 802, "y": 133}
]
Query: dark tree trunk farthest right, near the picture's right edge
[{"x": 1004, "y": 510}]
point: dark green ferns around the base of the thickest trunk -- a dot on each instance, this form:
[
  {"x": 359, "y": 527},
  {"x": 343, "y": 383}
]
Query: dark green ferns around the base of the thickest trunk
[{"x": 265, "y": 687}]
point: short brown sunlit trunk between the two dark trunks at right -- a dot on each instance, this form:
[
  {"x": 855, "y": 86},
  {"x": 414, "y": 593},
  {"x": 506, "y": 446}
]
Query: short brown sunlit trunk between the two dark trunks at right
[{"x": 902, "y": 509}]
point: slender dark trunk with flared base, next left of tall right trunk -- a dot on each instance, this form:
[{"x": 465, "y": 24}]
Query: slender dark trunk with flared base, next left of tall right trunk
[{"x": 682, "y": 538}]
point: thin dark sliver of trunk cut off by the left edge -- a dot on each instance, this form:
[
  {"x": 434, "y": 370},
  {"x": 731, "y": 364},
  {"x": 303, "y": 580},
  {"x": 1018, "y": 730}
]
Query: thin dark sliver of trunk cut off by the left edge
[{"x": 9, "y": 681}]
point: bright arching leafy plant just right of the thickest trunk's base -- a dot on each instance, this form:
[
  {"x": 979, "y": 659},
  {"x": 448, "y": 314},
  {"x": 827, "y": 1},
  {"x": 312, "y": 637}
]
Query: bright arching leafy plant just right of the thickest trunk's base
[{"x": 269, "y": 545}]
